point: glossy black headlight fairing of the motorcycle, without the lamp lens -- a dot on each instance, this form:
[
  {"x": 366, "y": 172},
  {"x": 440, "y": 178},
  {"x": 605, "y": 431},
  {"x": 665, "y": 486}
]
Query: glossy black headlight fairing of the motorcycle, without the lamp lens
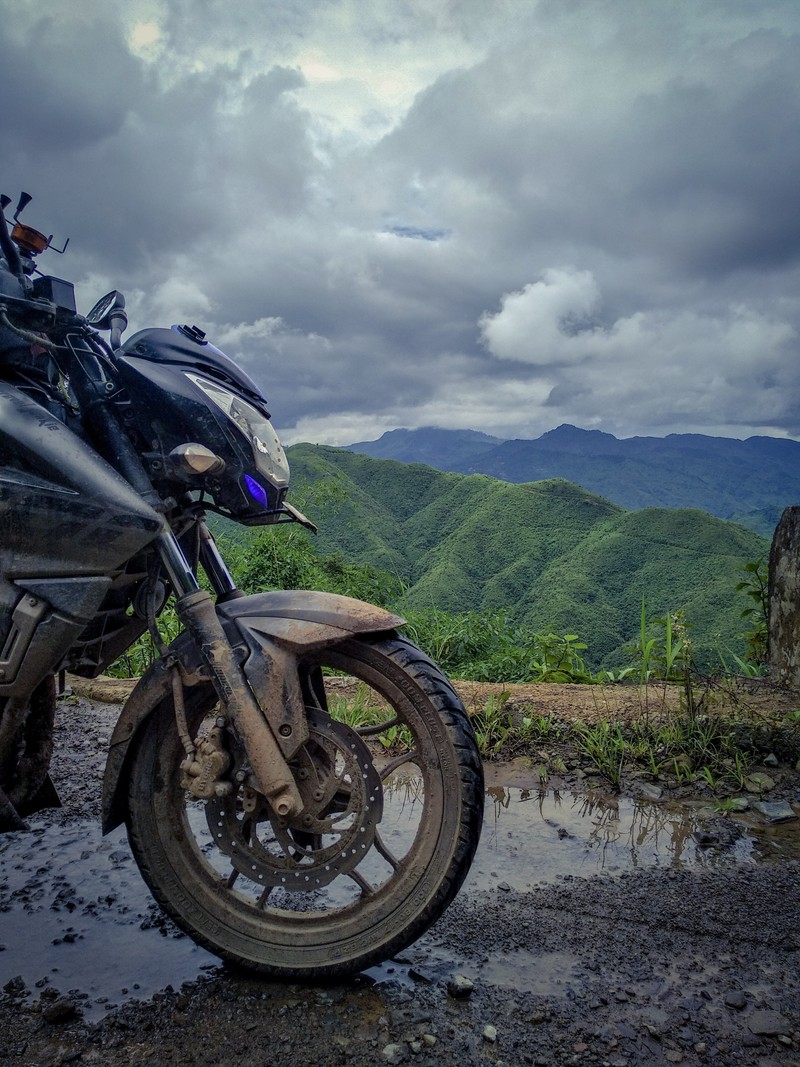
[{"x": 170, "y": 411}]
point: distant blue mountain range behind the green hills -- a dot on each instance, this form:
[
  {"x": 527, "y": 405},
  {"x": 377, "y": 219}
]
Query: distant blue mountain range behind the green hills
[{"x": 746, "y": 482}]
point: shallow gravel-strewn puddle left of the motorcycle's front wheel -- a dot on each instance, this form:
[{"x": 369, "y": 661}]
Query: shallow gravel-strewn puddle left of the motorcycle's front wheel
[{"x": 81, "y": 919}]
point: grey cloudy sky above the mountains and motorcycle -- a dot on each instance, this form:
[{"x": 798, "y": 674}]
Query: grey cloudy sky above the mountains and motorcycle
[{"x": 498, "y": 215}]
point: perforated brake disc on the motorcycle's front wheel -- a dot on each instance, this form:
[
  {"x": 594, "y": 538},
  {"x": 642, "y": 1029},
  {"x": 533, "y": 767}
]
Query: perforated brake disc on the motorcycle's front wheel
[{"x": 343, "y": 805}]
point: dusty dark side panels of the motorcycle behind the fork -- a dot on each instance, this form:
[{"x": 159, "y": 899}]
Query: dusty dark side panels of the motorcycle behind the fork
[{"x": 68, "y": 523}]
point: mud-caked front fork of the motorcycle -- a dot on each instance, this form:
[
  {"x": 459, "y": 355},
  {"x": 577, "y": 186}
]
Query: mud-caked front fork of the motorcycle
[{"x": 196, "y": 609}]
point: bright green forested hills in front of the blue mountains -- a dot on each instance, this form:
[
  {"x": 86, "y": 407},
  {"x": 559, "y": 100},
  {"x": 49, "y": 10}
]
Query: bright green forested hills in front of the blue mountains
[{"x": 555, "y": 555}]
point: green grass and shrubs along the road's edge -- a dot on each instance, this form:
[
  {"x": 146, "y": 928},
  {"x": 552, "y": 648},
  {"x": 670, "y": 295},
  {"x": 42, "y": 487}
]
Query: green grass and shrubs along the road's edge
[{"x": 705, "y": 735}]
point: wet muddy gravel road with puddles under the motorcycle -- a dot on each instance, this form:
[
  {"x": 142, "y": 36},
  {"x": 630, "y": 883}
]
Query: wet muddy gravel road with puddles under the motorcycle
[{"x": 593, "y": 931}]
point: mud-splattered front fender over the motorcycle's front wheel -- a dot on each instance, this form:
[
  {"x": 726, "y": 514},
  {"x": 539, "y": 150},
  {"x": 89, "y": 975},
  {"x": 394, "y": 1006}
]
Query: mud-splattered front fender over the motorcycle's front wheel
[{"x": 293, "y": 620}]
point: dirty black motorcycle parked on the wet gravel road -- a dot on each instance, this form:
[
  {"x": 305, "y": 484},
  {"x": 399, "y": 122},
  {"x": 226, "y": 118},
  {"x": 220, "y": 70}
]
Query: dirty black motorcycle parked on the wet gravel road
[{"x": 262, "y": 813}]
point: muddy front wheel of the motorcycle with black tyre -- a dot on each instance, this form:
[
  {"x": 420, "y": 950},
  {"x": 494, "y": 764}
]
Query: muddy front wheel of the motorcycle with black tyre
[{"x": 393, "y": 790}]
